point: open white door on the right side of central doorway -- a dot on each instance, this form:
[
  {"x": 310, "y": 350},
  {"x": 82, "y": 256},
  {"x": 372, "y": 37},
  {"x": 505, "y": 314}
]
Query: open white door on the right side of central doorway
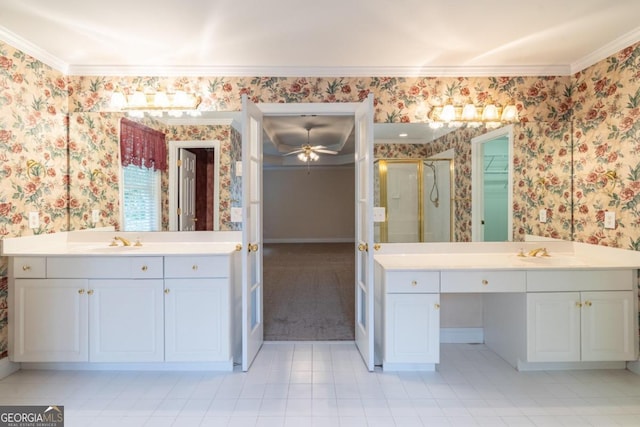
[{"x": 364, "y": 230}]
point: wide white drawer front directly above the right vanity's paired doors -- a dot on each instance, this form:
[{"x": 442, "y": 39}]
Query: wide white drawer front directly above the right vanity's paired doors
[{"x": 580, "y": 280}]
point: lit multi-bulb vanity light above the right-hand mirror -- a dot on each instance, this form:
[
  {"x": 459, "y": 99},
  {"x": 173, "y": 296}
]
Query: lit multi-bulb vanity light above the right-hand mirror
[{"x": 456, "y": 115}]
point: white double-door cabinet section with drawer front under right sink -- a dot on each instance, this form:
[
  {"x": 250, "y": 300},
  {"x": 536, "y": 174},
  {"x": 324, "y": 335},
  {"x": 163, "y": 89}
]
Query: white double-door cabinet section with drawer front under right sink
[{"x": 597, "y": 324}]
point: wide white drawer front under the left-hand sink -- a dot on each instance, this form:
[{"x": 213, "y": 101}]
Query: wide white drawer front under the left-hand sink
[{"x": 105, "y": 267}]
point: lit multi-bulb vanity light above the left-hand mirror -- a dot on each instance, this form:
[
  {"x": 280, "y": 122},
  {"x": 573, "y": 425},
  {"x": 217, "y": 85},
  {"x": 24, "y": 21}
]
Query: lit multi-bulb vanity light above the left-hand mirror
[{"x": 155, "y": 102}]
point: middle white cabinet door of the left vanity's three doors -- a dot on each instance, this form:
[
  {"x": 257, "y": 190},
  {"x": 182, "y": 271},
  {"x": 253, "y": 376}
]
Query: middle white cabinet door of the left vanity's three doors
[{"x": 126, "y": 320}]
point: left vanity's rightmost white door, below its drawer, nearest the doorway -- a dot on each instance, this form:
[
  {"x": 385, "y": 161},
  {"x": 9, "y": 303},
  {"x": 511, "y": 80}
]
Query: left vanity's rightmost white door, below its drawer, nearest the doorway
[{"x": 197, "y": 320}]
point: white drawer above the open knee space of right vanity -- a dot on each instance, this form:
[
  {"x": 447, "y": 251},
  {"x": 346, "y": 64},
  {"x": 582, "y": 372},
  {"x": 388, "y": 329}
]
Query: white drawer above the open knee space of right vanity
[{"x": 483, "y": 281}]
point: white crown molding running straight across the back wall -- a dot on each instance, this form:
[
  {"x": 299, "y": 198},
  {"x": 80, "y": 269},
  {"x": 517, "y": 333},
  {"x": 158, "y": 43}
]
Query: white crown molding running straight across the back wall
[{"x": 225, "y": 71}]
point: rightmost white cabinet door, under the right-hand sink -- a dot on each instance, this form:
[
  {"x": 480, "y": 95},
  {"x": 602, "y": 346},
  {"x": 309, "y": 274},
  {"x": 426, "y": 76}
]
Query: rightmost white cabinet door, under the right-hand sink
[{"x": 608, "y": 326}]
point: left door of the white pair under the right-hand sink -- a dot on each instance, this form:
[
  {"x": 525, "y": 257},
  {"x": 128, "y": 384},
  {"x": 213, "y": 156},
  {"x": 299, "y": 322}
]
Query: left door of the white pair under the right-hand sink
[{"x": 553, "y": 327}]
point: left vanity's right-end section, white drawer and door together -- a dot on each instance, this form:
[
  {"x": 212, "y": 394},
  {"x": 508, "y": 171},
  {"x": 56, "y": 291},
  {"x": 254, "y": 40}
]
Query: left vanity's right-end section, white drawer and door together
[{"x": 197, "y": 299}]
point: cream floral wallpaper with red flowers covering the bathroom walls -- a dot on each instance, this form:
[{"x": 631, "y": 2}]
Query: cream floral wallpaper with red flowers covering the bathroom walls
[{"x": 44, "y": 114}]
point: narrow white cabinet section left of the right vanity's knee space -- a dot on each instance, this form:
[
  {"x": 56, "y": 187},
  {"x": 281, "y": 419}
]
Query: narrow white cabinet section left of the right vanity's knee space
[{"x": 410, "y": 319}]
